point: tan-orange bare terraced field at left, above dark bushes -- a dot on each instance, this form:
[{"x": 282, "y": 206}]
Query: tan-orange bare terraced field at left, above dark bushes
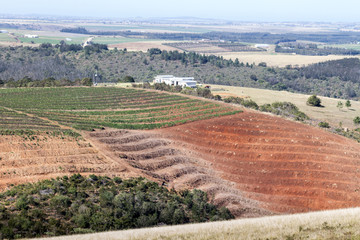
[{"x": 27, "y": 160}]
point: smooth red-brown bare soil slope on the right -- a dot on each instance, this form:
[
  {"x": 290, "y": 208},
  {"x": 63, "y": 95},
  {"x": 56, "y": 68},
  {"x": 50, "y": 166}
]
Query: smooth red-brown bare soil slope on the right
[{"x": 284, "y": 165}]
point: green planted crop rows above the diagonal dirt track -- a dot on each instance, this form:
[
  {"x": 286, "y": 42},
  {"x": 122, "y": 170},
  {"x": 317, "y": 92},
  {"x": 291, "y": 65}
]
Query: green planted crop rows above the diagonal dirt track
[{"x": 87, "y": 108}]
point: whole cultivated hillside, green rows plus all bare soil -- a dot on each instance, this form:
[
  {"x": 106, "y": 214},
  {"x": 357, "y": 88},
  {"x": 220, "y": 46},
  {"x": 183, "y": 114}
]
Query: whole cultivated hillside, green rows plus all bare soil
[{"x": 254, "y": 164}]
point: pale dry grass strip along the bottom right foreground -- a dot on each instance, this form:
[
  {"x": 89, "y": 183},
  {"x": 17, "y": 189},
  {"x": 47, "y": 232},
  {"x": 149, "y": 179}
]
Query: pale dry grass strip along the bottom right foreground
[{"x": 335, "y": 224}]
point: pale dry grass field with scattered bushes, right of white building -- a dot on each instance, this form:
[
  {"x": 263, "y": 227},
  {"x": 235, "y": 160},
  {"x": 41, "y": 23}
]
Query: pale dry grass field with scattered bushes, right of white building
[{"x": 329, "y": 113}]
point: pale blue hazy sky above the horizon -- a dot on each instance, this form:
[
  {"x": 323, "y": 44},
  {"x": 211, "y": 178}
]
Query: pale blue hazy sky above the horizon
[{"x": 249, "y": 10}]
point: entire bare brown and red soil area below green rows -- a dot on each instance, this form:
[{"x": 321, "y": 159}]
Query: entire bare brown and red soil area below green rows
[{"x": 255, "y": 164}]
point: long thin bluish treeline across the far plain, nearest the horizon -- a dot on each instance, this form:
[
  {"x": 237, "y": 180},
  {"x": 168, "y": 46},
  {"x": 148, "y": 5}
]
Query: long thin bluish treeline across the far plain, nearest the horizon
[{"x": 255, "y": 37}]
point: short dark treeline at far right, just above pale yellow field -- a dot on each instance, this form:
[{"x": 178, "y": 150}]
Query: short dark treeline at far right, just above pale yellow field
[{"x": 313, "y": 50}]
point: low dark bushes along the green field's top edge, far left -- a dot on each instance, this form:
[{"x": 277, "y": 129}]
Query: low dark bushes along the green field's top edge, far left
[{"x": 48, "y": 82}]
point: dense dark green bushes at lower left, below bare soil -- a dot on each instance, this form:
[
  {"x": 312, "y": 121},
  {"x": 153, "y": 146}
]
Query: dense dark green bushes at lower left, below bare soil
[{"x": 78, "y": 204}]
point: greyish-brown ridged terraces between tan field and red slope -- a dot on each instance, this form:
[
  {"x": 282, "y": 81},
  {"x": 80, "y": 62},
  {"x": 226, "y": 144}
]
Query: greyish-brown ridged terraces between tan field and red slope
[{"x": 164, "y": 160}]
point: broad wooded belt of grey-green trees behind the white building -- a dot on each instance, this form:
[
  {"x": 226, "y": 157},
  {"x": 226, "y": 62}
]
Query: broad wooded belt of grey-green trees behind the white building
[{"x": 338, "y": 78}]
